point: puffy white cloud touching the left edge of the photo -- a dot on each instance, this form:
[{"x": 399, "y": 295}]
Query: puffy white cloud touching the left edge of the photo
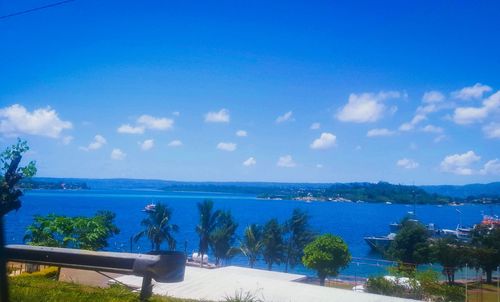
[{"x": 16, "y": 120}]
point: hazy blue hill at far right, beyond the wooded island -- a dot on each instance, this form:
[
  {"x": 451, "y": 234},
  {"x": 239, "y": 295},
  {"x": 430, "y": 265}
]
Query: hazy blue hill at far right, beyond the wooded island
[{"x": 476, "y": 190}]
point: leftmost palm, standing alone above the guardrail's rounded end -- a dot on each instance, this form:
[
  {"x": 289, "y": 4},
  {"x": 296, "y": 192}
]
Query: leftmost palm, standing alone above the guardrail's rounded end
[{"x": 157, "y": 228}]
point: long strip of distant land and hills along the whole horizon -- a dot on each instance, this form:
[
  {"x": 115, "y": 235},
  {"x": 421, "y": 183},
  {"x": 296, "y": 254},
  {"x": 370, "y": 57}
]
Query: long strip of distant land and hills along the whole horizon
[{"x": 370, "y": 192}]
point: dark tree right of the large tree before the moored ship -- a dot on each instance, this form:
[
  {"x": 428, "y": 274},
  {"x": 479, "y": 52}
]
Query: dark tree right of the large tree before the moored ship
[{"x": 451, "y": 254}]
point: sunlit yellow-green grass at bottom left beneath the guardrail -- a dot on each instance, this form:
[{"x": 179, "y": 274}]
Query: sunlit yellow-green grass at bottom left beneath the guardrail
[{"x": 36, "y": 288}]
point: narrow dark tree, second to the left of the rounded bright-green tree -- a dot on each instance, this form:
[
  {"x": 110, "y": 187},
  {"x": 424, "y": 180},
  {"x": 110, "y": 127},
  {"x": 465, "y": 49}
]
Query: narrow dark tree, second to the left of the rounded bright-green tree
[{"x": 273, "y": 243}]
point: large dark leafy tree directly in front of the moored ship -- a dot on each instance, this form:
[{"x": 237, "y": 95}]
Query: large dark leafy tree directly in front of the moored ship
[{"x": 410, "y": 245}]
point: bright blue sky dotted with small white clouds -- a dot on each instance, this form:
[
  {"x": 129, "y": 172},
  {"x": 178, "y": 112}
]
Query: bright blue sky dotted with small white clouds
[{"x": 401, "y": 91}]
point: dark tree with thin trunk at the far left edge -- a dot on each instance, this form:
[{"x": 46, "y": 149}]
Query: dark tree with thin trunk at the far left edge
[{"x": 10, "y": 175}]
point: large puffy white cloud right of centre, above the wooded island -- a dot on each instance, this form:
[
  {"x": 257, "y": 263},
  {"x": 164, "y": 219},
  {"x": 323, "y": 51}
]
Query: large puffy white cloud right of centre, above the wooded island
[{"x": 365, "y": 107}]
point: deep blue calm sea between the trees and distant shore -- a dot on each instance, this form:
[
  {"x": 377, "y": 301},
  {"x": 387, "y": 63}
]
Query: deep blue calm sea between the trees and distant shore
[{"x": 351, "y": 221}]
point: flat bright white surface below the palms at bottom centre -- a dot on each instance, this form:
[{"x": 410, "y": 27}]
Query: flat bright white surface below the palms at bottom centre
[{"x": 216, "y": 284}]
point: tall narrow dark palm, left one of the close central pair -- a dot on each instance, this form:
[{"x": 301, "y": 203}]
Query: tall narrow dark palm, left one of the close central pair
[{"x": 208, "y": 222}]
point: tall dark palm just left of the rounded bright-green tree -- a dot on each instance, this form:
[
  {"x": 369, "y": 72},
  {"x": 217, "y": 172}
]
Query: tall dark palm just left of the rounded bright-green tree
[{"x": 298, "y": 235}]
